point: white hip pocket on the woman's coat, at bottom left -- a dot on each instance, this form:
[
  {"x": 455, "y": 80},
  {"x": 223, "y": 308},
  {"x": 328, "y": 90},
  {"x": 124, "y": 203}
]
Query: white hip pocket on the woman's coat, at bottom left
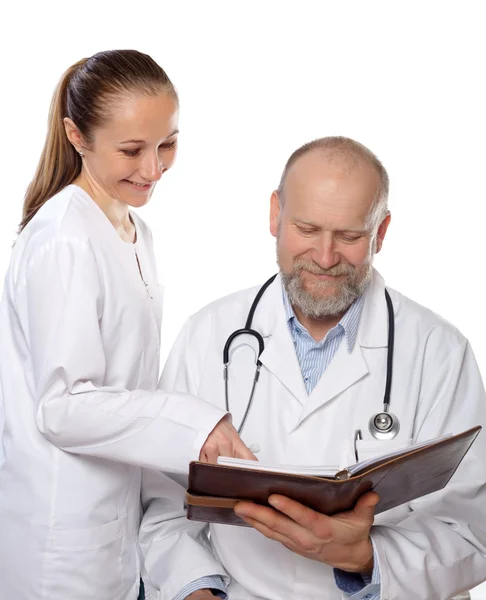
[{"x": 86, "y": 563}]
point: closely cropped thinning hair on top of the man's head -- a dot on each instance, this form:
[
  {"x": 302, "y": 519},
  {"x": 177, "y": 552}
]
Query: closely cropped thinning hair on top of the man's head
[{"x": 347, "y": 154}]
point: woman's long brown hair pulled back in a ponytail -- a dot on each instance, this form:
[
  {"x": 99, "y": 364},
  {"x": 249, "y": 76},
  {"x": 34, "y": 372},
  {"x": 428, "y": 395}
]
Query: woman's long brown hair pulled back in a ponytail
[{"x": 85, "y": 94}]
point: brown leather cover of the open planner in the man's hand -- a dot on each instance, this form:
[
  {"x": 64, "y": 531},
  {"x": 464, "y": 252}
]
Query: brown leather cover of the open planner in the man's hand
[{"x": 214, "y": 489}]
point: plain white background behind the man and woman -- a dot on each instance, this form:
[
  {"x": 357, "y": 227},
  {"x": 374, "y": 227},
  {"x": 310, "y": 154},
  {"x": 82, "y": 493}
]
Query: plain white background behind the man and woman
[{"x": 256, "y": 80}]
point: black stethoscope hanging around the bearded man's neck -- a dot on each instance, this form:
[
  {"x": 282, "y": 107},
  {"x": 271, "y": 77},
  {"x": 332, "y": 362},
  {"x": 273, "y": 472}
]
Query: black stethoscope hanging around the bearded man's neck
[{"x": 382, "y": 426}]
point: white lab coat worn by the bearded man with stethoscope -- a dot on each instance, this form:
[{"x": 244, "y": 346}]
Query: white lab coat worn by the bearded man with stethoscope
[{"x": 428, "y": 549}]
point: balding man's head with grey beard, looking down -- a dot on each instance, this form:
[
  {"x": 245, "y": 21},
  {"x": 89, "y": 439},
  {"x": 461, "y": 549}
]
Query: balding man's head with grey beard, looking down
[{"x": 330, "y": 218}]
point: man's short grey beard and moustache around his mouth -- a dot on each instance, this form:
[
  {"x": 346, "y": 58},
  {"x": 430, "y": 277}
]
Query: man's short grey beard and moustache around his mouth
[{"x": 350, "y": 288}]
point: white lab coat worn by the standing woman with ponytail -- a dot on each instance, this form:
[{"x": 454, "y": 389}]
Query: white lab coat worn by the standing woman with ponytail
[{"x": 79, "y": 364}]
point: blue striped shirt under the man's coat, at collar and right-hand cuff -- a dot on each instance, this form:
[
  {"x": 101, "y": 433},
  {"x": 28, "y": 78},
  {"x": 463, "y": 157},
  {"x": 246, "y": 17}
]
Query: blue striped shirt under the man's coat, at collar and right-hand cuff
[{"x": 314, "y": 357}]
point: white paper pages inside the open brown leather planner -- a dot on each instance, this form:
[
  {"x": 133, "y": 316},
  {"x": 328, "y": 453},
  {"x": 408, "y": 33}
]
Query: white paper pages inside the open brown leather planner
[{"x": 330, "y": 472}]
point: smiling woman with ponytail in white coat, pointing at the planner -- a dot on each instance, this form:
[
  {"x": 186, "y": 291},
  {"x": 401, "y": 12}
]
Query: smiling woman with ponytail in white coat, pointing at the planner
[{"x": 79, "y": 345}]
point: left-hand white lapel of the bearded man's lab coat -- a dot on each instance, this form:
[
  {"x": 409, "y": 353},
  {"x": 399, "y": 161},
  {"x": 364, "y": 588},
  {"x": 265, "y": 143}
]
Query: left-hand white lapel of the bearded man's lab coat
[{"x": 279, "y": 356}]
